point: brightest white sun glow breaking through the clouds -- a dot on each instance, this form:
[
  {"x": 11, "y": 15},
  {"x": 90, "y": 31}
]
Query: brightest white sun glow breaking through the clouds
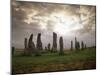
[{"x": 62, "y": 24}]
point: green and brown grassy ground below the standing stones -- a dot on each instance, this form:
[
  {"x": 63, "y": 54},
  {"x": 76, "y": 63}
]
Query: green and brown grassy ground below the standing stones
[{"x": 72, "y": 60}]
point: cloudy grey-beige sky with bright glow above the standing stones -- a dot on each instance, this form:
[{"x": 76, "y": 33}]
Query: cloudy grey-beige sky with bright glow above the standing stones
[{"x": 67, "y": 20}]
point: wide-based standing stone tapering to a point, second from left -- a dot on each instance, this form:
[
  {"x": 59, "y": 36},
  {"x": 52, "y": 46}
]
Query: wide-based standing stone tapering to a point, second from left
[{"x": 31, "y": 45}]
